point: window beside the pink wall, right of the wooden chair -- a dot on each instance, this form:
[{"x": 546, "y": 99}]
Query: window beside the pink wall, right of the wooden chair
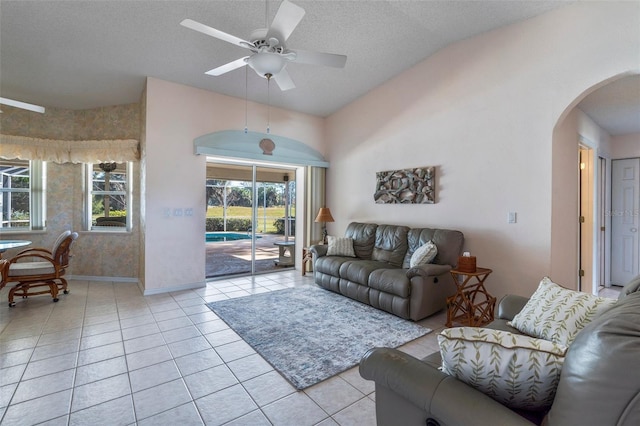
[{"x": 109, "y": 196}]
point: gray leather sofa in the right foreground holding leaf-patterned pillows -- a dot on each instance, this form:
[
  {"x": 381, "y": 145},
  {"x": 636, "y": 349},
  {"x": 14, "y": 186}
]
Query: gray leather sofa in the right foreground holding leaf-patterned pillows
[{"x": 599, "y": 383}]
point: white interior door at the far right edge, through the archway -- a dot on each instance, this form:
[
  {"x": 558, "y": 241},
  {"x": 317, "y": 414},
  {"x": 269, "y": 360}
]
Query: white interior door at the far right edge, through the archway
[{"x": 625, "y": 207}]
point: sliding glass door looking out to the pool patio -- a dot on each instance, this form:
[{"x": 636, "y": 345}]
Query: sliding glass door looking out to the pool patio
[{"x": 250, "y": 223}]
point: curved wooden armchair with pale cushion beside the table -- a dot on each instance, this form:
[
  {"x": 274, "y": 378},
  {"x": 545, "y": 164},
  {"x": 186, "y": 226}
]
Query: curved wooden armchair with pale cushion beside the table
[{"x": 35, "y": 268}]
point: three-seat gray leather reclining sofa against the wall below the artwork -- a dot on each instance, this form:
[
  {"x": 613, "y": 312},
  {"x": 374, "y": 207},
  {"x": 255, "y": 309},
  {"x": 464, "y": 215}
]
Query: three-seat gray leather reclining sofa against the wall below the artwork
[{"x": 380, "y": 276}]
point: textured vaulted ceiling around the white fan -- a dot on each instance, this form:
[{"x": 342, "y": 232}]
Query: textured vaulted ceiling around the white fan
[{"x": 93, "y": 53}]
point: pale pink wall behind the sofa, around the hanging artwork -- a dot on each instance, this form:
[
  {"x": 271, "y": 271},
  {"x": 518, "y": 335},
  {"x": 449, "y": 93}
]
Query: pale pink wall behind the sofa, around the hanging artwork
[{"x": 483, "y": 111}]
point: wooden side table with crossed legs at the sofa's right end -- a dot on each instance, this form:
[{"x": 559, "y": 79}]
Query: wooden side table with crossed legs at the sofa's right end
[{"x": 472, "y": 305}]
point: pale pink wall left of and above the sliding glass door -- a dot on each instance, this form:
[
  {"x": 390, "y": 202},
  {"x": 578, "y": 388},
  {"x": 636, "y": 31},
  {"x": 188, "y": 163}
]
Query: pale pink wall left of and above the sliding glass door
[{"x": 174, "y": 178}]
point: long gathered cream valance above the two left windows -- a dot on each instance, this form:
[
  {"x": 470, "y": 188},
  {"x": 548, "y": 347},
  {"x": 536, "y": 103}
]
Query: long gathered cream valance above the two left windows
[{"x": 60, "y": 151}]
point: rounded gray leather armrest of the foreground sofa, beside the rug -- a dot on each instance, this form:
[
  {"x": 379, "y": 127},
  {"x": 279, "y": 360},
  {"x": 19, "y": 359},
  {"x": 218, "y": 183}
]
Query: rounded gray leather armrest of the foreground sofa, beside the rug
[{"x": 440, "y": 396}]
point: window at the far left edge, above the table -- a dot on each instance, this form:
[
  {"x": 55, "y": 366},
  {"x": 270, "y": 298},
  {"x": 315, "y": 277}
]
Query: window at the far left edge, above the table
[{"x": 22, "y": 188}]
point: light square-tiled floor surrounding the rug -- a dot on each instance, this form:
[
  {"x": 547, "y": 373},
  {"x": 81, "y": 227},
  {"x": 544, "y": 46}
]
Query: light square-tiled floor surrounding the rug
[{"x": 107, "y": 355}]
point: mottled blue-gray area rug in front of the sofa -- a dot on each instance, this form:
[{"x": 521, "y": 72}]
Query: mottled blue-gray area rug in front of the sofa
[{"x": 309, "y": 334}]
